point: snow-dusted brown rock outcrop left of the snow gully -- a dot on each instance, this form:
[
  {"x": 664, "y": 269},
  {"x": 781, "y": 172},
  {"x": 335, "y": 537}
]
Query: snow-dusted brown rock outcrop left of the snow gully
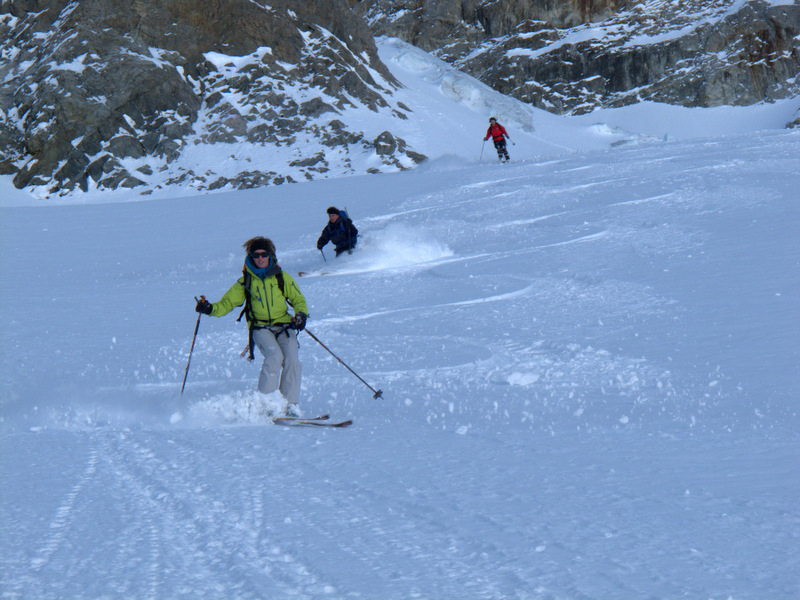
[{"x": 104, "y": 93}]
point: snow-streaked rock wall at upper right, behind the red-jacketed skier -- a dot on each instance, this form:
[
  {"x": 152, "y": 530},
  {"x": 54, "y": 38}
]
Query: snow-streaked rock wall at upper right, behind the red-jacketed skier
[{"x": 575, "y": 55}]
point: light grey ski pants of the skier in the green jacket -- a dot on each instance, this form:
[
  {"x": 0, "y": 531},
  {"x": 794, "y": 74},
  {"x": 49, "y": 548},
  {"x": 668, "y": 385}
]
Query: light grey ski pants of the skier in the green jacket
[{"x": 281, "y": 367}]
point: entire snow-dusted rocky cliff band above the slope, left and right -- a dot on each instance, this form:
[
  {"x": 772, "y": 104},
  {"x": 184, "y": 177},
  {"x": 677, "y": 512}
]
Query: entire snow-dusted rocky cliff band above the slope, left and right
[{"x": 103, "y": 94}]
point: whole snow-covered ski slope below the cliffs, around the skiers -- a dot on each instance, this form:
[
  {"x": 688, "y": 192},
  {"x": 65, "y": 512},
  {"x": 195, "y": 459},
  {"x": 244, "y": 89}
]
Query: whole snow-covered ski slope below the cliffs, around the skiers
[{"x": 588, "y": 357}]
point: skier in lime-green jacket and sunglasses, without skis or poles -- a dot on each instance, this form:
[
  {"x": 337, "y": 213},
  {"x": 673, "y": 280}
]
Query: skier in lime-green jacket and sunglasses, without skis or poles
[{"x": 266, "y": 290}]
